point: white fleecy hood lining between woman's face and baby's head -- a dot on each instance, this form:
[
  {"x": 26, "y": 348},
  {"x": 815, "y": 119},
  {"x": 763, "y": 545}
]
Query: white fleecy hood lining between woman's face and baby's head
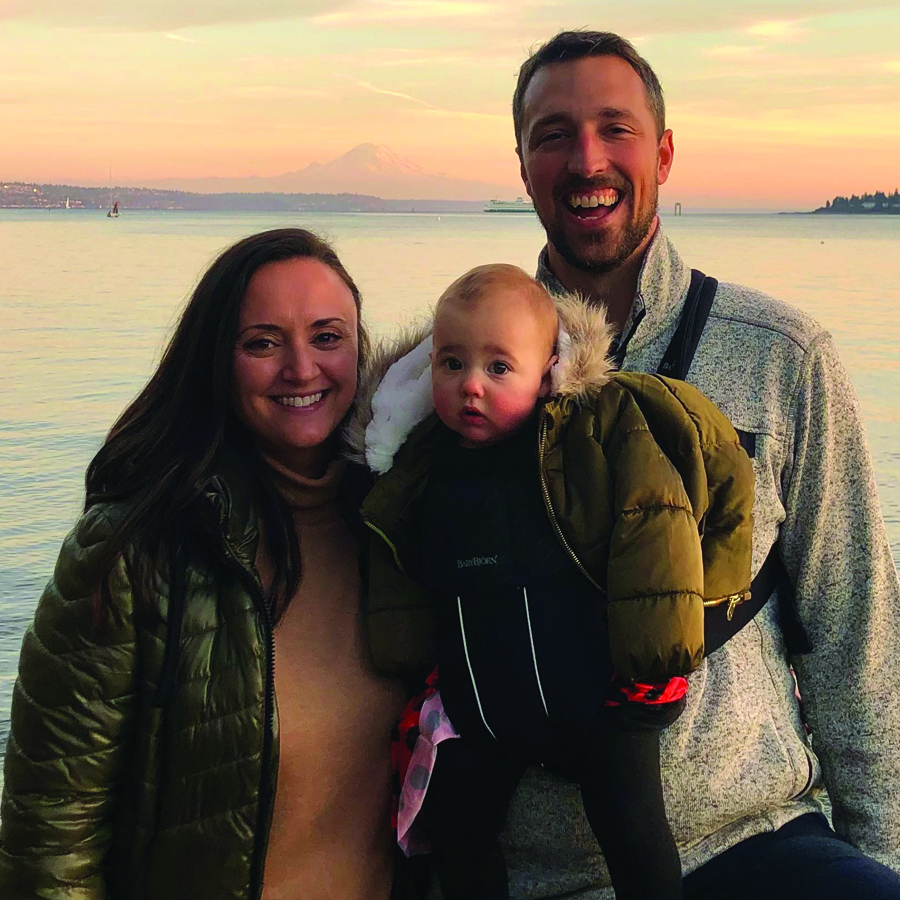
[{"x": 403, "y": 399}]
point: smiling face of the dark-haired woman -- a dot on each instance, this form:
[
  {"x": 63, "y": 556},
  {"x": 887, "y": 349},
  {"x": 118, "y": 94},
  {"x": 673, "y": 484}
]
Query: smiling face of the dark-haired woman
[{"x": 295, "y": 360}]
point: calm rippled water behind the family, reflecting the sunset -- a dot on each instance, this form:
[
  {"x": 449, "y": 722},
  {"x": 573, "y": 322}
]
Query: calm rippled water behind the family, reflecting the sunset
[{"x": 88, "y": 302}]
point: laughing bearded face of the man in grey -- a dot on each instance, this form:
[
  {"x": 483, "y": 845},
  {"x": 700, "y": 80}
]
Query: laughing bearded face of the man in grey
[{"x": 591, "y": 160}]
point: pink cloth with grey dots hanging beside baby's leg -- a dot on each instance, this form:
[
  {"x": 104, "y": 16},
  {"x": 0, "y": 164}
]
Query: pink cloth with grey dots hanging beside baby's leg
[{"x": 434, "y": 727}]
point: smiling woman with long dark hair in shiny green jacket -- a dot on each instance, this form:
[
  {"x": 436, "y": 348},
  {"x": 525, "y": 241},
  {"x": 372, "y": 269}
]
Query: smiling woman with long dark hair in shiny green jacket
[{"x": 210, "y": 574}]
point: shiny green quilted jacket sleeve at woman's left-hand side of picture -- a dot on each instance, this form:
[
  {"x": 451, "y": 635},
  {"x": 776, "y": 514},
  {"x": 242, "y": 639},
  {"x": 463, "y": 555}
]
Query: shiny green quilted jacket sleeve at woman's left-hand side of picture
[{"x": 68, "y": 744}]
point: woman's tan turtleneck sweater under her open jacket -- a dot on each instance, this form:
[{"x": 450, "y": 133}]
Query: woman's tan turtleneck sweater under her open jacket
[{"x": 331, "y": 835}]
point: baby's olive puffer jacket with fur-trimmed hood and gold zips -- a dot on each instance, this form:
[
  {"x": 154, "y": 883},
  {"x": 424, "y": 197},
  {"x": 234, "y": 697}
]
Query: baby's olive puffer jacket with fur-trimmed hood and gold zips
[{"x": 644, "y": 481}]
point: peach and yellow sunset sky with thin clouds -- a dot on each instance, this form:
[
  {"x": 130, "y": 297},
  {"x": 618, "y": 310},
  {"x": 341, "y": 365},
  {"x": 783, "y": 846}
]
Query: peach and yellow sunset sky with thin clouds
[{"x": 773, "y": 103}]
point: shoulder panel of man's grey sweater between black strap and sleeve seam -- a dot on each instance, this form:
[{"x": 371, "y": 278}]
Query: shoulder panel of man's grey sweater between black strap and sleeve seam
[{"x": 763, "y": 318}]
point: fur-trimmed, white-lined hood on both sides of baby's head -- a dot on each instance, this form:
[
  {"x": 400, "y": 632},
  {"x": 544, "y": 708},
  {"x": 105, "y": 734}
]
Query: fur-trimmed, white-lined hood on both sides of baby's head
[{"x": 395, "y": 388}]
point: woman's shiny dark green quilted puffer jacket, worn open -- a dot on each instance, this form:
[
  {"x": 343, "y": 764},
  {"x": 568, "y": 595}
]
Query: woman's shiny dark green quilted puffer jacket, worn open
[{"x": 131, "y": 772}]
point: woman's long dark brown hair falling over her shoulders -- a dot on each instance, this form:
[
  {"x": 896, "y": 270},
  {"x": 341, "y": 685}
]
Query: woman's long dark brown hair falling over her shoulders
[{"x": 166, "y": 445}]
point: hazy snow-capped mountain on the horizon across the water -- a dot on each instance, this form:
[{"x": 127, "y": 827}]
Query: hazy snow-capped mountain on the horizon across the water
[{"x": 371, "y": 169}]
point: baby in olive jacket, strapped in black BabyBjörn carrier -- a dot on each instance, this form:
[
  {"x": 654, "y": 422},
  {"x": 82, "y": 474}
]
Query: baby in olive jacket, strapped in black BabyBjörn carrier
[{"x": 539, "y": 539}]
